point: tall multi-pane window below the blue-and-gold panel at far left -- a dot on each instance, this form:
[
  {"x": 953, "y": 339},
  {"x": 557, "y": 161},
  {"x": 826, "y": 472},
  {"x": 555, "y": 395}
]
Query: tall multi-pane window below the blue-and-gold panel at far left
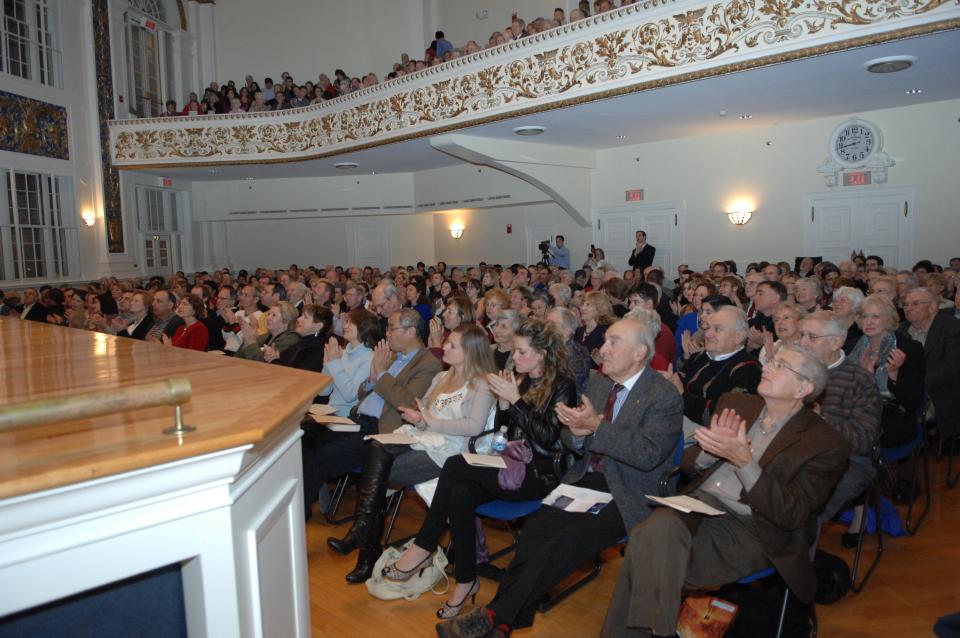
[{"x": 38, "y": 239}]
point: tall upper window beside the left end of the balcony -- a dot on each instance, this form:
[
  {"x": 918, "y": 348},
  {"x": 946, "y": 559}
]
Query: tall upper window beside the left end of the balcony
[{"x": 150, "y": 52}]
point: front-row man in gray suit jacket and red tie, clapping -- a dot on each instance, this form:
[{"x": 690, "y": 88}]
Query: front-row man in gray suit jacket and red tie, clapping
[{"x": 626, "y": 442}]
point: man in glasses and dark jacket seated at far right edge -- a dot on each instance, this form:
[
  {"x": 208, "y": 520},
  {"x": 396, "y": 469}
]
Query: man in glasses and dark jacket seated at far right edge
[{"x": 940, "y": 335}]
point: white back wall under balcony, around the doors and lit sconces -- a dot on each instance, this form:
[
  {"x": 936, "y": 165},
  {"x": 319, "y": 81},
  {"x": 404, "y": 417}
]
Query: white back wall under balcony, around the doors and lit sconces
[{"x": 706, "y": 172}]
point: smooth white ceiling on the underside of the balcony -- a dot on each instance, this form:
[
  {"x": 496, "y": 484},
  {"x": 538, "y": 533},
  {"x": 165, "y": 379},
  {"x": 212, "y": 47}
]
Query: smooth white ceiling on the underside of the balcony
[{"x": 816, "y": 87}]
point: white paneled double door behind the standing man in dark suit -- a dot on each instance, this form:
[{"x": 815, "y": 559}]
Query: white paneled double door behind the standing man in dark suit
[{"x": 615, "y": 232}]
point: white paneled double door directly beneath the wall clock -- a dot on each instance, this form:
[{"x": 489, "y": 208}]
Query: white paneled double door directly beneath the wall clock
[{"x": 876, "y": 221}]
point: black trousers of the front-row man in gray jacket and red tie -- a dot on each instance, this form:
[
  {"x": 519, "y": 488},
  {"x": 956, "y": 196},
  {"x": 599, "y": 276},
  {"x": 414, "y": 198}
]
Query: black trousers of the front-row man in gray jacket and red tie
[{"x": 554, "y": 543}]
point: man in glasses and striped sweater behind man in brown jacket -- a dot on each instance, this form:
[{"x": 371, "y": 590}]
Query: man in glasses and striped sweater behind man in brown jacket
[{"x": 850, "y": 404}]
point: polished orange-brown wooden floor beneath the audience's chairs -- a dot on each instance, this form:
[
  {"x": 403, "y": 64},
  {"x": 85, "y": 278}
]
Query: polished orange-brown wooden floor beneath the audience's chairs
[{"x": 916, "y": 582}]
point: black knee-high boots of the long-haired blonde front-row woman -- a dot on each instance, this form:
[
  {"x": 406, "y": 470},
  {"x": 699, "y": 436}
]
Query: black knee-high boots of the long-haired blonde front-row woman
[{"x": 368, "y": 524}]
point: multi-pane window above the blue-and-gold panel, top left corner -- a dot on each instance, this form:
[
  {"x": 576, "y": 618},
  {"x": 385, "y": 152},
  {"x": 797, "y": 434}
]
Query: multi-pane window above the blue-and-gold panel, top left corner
[{"x": 29, "y": 46}]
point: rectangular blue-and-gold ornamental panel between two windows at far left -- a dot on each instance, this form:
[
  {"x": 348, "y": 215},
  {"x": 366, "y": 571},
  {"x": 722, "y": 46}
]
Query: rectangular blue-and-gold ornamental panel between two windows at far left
[{"x": 33, "y": 127}]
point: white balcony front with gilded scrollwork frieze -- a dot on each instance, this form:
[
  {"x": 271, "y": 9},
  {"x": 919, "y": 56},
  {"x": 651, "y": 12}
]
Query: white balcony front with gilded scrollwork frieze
[{"x": 656, "y": 43}]
